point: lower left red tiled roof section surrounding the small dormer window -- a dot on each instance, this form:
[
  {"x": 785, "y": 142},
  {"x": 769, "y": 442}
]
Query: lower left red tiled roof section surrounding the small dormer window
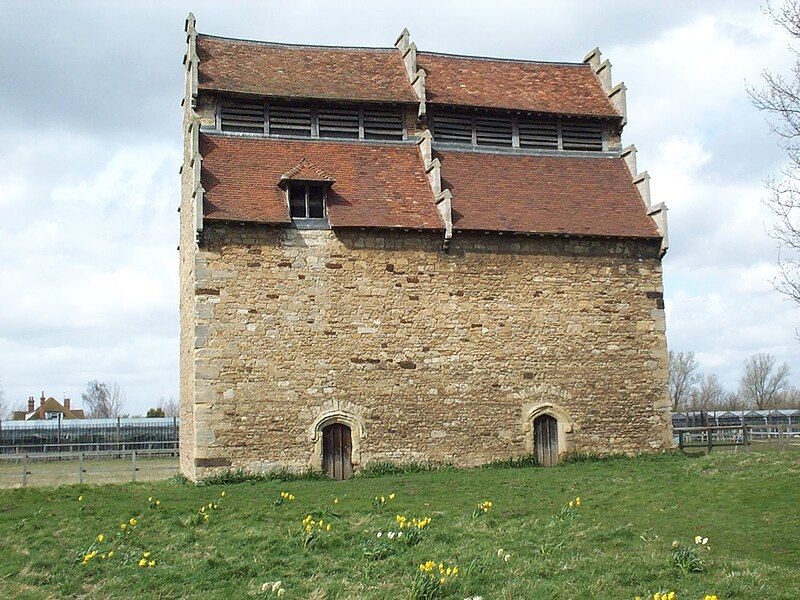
[{"x": 376, "y": 185}]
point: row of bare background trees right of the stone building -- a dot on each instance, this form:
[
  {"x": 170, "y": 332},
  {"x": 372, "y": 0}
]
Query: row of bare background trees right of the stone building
[{"x": 763, "y": 384}]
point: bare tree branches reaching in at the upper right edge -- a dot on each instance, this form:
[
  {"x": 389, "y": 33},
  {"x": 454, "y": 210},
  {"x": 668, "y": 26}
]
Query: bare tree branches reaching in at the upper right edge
[{"x": 780, "y": 99}]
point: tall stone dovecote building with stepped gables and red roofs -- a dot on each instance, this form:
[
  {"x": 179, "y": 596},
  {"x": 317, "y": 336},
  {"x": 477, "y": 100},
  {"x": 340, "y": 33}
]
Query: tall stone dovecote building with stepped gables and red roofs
[{"x": 389, "y": 254}]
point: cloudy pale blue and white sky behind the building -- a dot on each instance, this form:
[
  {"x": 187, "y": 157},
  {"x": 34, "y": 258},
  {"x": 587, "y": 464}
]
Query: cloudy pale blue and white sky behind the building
[{"x": 90, "y": 150}]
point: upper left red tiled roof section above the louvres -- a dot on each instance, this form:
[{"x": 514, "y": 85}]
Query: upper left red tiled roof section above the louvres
[{"x": 266, "y": 69}]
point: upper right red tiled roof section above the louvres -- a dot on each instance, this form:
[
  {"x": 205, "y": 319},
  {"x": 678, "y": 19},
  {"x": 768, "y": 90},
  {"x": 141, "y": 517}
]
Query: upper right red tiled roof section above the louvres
[{"x": 514, "y": 85}]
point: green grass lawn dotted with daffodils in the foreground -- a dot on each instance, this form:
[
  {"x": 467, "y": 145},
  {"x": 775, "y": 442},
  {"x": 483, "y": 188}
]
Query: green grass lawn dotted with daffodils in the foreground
[{"x": 616, "y": 545}]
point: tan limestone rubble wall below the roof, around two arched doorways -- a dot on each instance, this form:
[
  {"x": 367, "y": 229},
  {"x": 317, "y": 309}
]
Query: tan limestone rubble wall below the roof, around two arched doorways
[{"x": 425, "y": 355}]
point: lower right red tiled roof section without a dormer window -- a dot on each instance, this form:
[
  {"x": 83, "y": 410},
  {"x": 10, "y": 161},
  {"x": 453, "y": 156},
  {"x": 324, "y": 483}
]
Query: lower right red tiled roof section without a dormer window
[{"x": 544, "y": 194}]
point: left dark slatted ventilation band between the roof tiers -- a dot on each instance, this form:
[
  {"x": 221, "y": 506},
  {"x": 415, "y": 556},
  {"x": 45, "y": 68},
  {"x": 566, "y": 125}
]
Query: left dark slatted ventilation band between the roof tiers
[{"x": 340, "y": 122}]
